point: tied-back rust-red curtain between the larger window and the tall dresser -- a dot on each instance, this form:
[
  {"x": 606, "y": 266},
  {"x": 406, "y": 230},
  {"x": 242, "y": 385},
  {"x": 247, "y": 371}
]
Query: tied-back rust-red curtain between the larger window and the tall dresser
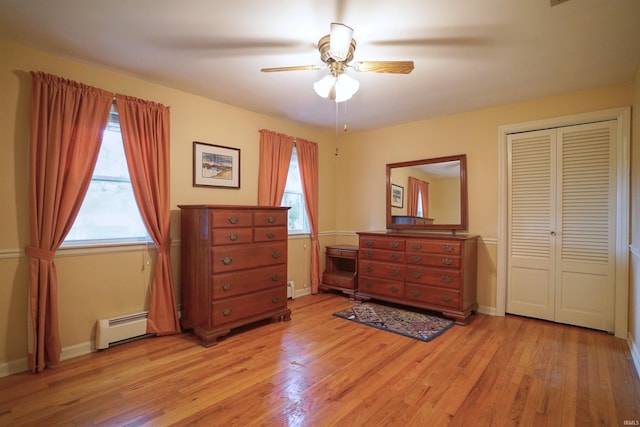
[{"x": 145, "y": 134}]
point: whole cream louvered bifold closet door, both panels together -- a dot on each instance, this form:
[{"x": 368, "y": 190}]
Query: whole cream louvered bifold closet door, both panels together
[{"x": 562, "y": 213}]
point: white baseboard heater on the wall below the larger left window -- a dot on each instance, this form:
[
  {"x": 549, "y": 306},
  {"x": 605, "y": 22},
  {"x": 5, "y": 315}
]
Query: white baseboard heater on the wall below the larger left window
[{"x": 119, "y": 330}]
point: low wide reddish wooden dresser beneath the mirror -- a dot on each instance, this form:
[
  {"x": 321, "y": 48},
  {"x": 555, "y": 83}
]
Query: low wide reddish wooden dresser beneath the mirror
[{"x": 431, "y": 271}]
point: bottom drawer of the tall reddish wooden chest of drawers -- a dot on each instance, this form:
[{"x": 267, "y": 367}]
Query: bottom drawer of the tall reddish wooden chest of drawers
[{"x": 235, "y": 309}]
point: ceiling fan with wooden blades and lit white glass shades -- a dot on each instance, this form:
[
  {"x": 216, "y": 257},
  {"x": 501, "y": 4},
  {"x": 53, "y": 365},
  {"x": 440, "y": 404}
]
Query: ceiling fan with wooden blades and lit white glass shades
[{"x": 336, "y": 51}]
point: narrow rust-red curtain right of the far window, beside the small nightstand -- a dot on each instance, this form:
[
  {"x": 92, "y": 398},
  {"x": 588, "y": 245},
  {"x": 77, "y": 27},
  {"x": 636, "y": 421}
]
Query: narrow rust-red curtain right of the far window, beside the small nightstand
[{"x": 308, "y": 162}]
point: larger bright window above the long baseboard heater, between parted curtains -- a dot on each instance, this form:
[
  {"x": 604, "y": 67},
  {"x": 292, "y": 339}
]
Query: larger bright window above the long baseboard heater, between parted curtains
[{"x": 109, "y": 213}]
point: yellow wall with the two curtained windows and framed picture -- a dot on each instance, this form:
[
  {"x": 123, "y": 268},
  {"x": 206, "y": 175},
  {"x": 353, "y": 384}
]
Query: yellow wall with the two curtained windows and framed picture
[{"x": 104, "y": 283}]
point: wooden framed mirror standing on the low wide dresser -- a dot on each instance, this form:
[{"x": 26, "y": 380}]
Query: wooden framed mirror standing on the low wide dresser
[{"x": 427, "y": 194}]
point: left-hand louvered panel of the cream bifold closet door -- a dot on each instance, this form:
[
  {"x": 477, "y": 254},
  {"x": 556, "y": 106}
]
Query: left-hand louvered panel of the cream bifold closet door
[{"x": 532, "y": 171}]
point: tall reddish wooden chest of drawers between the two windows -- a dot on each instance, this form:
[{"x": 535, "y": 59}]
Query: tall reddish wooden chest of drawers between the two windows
[{"x": 234, "y": 267}]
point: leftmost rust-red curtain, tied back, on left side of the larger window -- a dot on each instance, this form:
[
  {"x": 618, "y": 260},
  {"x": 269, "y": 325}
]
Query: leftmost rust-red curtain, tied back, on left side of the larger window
[{"x": 67, "y": 121}]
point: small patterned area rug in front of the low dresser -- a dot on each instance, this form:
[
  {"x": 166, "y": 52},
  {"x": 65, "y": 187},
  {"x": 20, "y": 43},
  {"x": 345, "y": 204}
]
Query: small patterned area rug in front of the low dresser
[{"x": 401, "y": 321}]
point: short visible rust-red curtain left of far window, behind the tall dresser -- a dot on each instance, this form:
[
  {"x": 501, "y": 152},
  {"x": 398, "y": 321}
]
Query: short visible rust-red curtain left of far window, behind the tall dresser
[{"x": 275, "y": 155}]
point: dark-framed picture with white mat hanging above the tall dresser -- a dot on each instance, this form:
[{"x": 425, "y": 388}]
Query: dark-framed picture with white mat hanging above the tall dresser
[{"x": 215, "y": 165}]
